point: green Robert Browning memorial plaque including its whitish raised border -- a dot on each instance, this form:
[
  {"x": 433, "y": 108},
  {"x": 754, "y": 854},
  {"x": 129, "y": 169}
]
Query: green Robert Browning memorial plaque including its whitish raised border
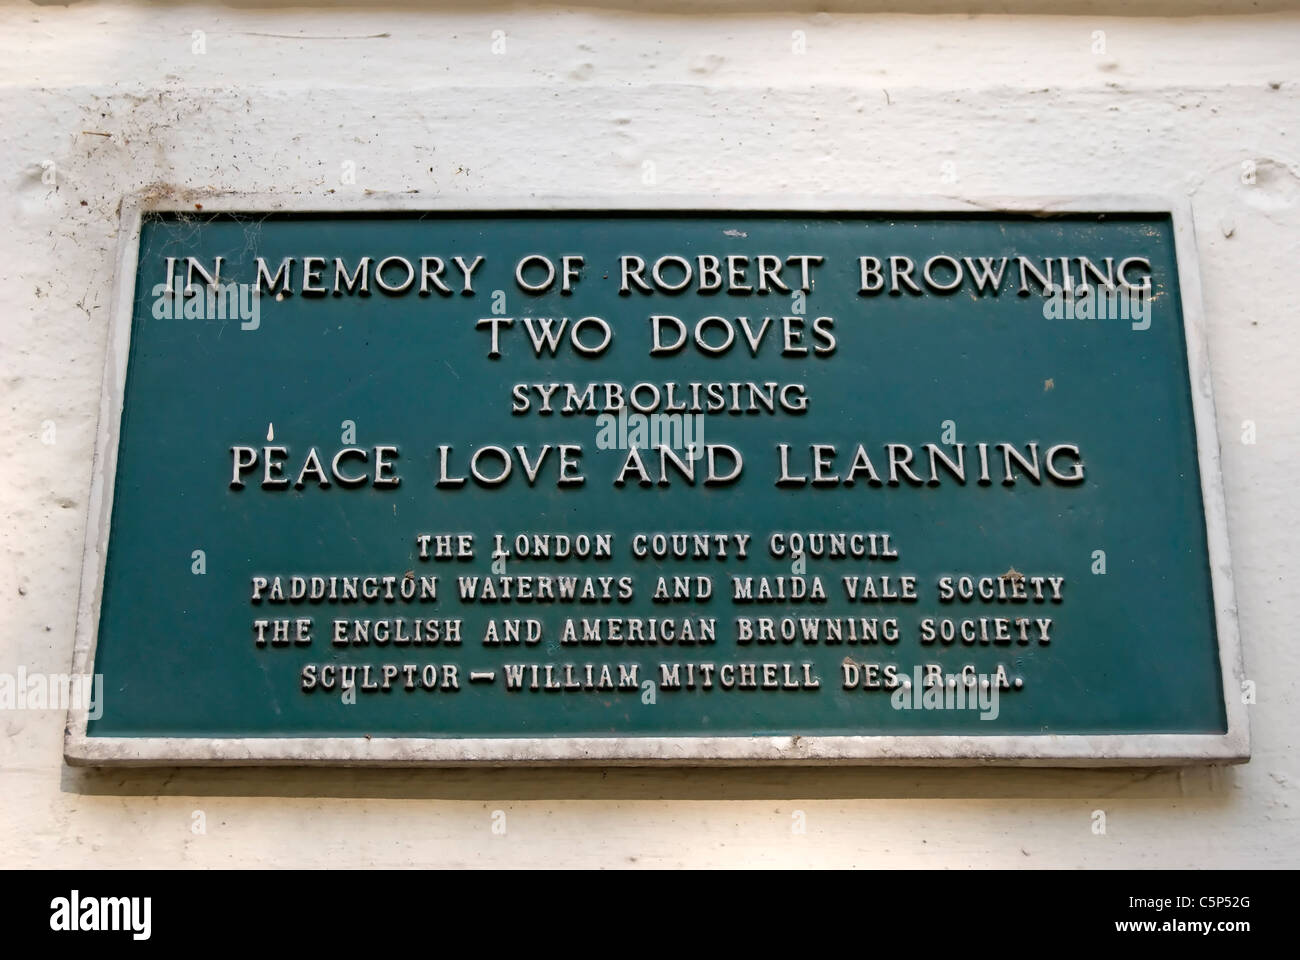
[{"x": 899, "y": 485}]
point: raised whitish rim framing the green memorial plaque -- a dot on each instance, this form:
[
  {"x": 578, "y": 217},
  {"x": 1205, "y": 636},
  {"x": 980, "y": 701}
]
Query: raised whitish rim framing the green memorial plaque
[{"x": 1111, "y": 750}]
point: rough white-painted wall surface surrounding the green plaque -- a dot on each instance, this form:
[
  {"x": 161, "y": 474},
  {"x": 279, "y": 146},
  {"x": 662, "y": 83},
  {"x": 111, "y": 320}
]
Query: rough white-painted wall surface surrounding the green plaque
[{"x": 115, "y": 97}]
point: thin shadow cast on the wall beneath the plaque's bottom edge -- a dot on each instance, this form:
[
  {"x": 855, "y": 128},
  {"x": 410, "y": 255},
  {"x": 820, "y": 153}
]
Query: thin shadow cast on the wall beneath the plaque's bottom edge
[{"x": 1208, "y": 785}]
